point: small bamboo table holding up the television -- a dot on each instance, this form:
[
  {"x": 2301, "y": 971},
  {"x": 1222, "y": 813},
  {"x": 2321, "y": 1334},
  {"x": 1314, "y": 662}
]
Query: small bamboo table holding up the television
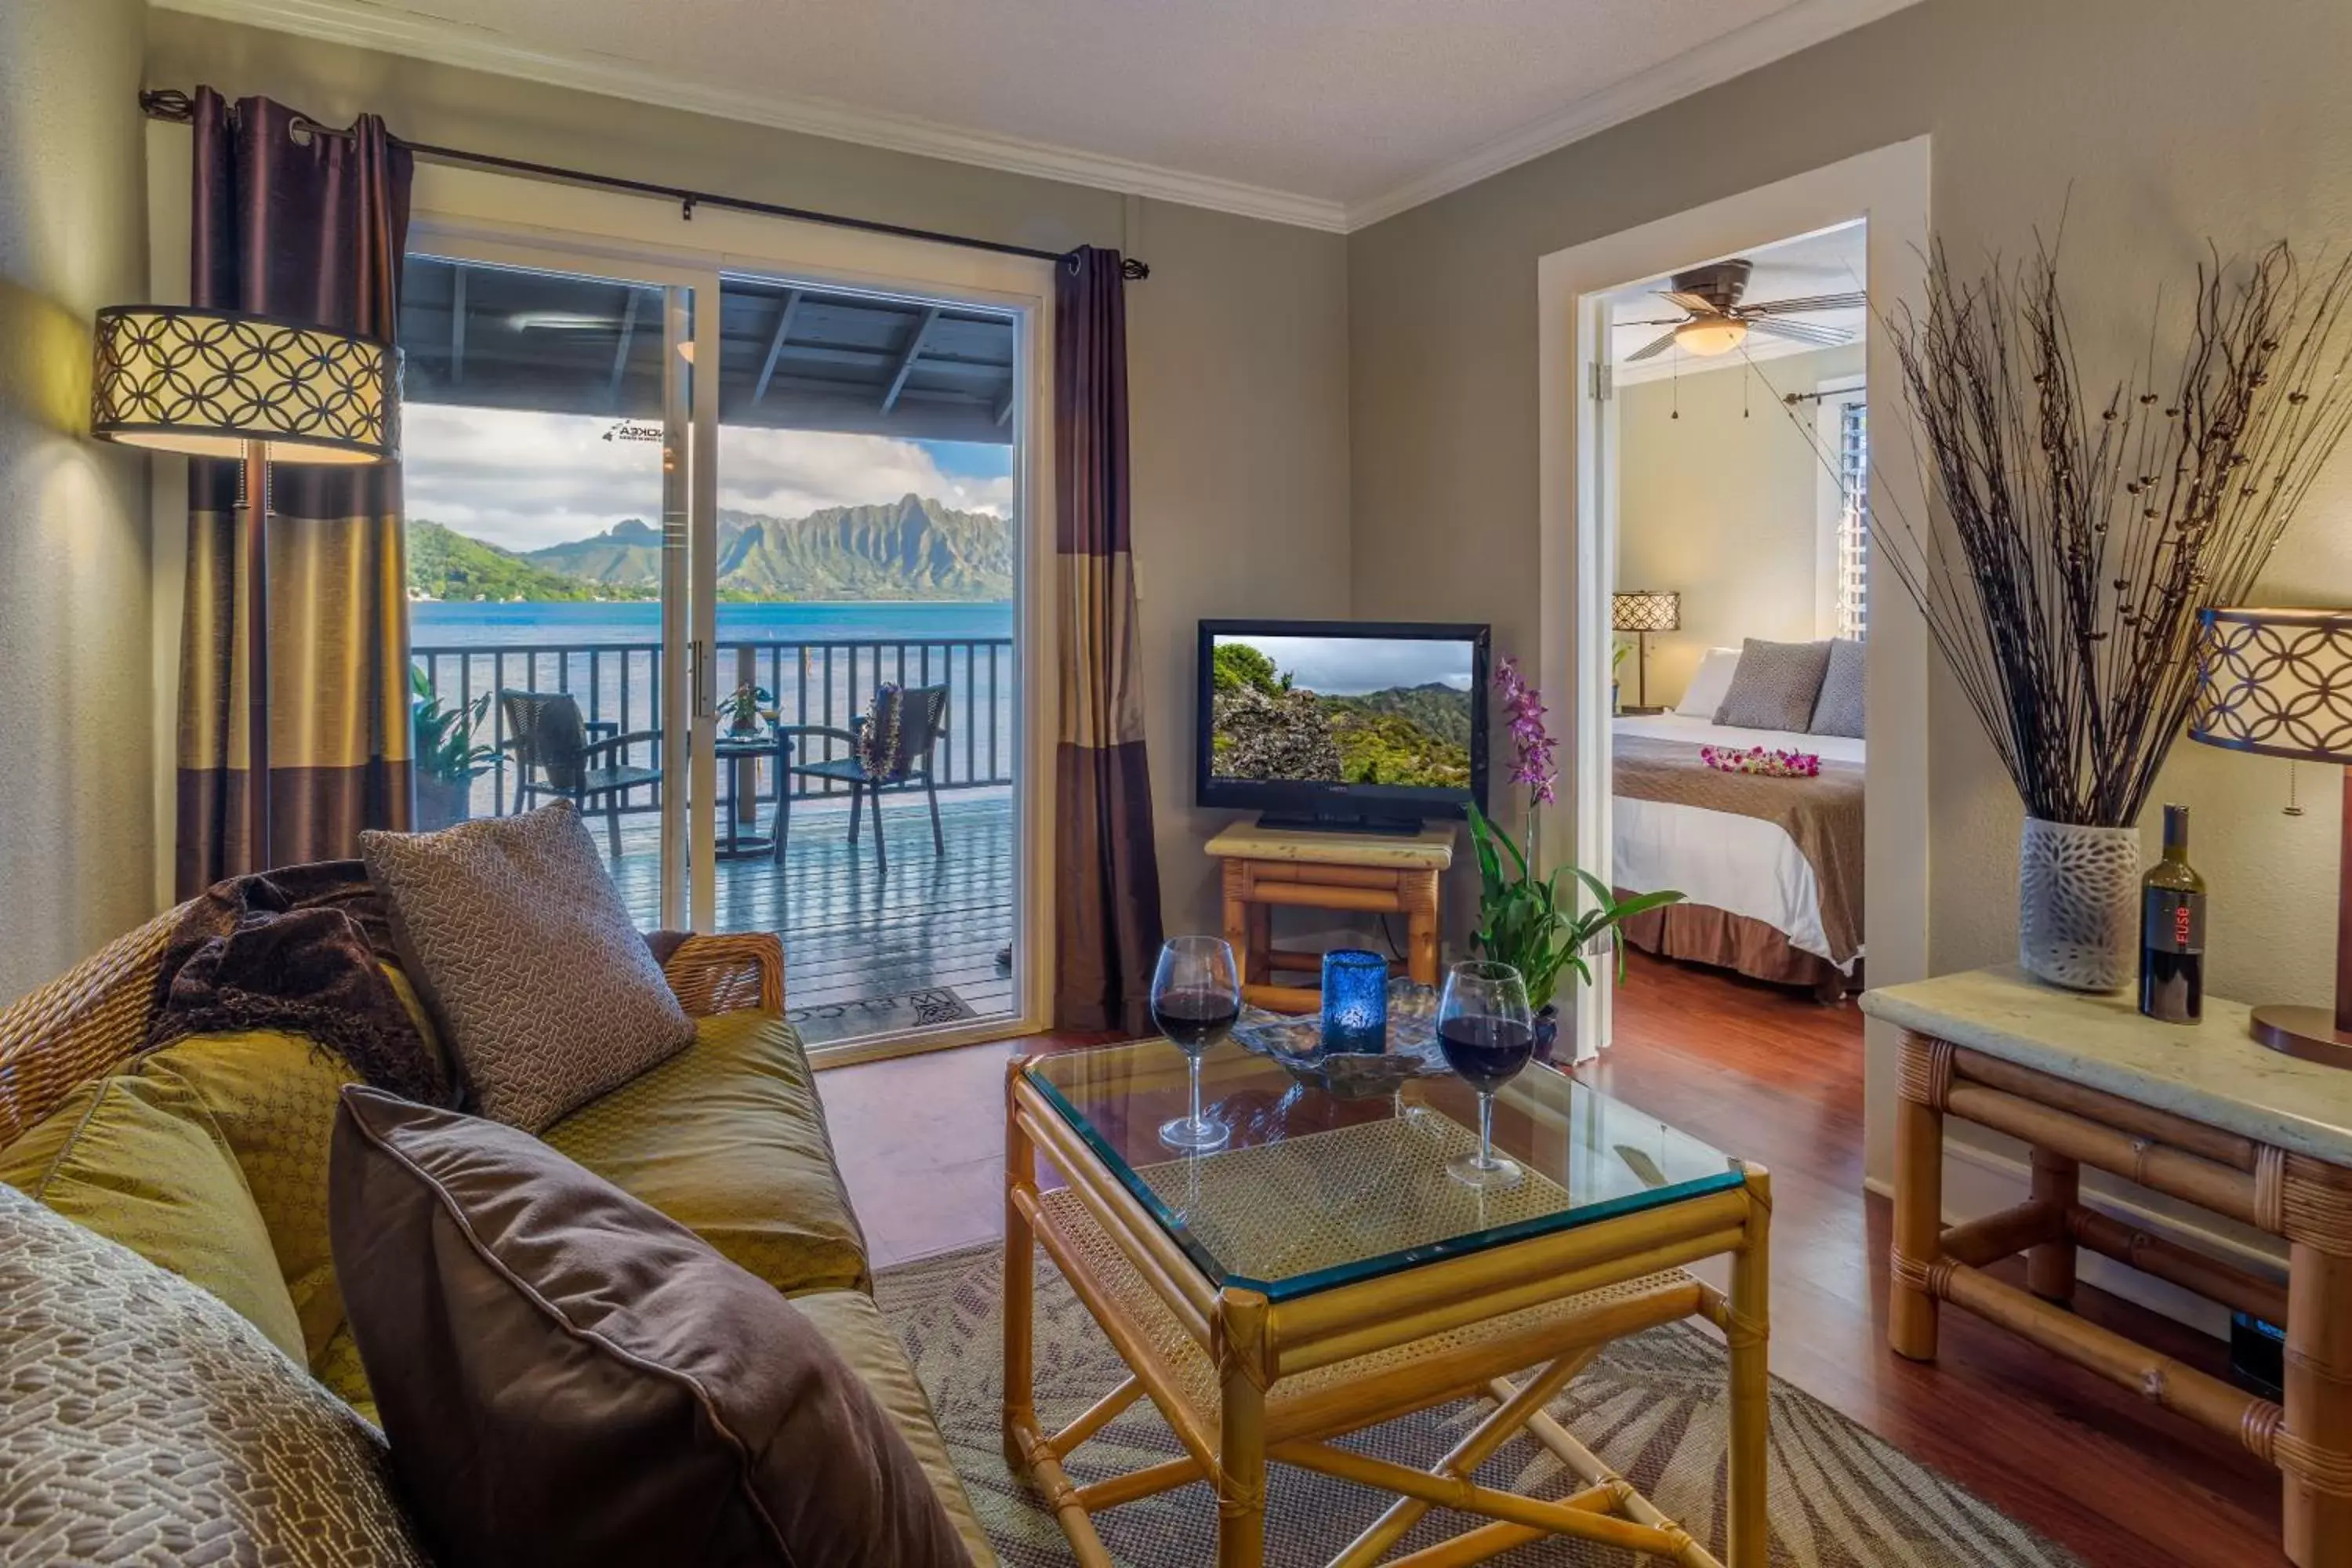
[{"x": 1370, "y": 873}]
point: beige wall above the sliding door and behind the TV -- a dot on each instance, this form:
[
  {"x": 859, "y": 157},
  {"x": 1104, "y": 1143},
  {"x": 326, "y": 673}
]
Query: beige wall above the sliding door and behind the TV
[{"x": 1238, "y": 344}]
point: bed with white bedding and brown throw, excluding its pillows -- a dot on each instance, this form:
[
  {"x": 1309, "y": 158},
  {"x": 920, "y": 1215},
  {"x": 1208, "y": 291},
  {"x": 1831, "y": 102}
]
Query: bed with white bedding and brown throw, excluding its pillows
[{"x": 1772, "y": 866}]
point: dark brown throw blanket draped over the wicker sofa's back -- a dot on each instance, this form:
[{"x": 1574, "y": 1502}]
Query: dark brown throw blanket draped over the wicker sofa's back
[{"x": 298, "y": 951}]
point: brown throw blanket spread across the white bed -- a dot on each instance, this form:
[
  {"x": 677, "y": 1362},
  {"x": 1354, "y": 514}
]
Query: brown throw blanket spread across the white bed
[{"x": 1822, "y": 815}]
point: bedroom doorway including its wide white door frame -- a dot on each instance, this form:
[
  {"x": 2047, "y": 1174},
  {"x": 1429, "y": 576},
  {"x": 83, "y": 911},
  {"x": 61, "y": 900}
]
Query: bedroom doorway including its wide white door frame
[{"x": 1709, "y": 394}]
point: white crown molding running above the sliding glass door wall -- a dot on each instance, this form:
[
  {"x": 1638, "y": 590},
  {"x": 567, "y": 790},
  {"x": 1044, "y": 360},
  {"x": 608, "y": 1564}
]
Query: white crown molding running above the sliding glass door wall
[{"x": 455, "y": 43}]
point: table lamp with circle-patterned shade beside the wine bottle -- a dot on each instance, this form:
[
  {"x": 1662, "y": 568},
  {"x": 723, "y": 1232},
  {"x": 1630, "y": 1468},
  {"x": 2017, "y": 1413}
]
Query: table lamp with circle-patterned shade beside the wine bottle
[{"x": 2278, "y": 683}]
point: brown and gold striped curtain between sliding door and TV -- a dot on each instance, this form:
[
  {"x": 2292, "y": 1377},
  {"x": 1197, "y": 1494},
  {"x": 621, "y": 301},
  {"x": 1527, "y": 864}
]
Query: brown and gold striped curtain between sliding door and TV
[{"x": 1107, "y": 904}]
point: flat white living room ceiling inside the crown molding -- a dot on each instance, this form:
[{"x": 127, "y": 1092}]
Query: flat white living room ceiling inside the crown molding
[{"x": 1311, "y": 112}]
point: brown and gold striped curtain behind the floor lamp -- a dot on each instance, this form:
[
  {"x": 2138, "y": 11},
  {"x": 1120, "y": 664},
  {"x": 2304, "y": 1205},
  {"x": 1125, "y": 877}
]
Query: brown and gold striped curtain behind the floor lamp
[{"x": 309, "y": 225}]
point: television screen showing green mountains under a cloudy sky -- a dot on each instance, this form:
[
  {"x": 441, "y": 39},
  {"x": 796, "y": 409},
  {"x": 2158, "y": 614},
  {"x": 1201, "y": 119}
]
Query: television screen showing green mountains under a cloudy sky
[{"x": 1316, "y": 711}]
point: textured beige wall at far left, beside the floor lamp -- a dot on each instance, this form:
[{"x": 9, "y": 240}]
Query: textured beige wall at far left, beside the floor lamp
[{"x": 74, "y": 579}]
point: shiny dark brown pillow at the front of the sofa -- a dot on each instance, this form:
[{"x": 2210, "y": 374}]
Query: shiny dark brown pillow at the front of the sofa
[{"x": 566, "y": 1376}]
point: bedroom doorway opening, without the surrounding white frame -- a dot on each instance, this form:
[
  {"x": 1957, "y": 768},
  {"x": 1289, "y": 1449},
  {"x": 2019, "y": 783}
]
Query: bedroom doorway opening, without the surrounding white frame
[{"x": 1735, "y": 492}]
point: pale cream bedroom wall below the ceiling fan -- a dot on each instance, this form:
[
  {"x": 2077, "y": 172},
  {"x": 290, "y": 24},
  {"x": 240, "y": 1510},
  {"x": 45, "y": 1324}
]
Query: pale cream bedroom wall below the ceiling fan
[{"x": 1720, "y": 502}]
